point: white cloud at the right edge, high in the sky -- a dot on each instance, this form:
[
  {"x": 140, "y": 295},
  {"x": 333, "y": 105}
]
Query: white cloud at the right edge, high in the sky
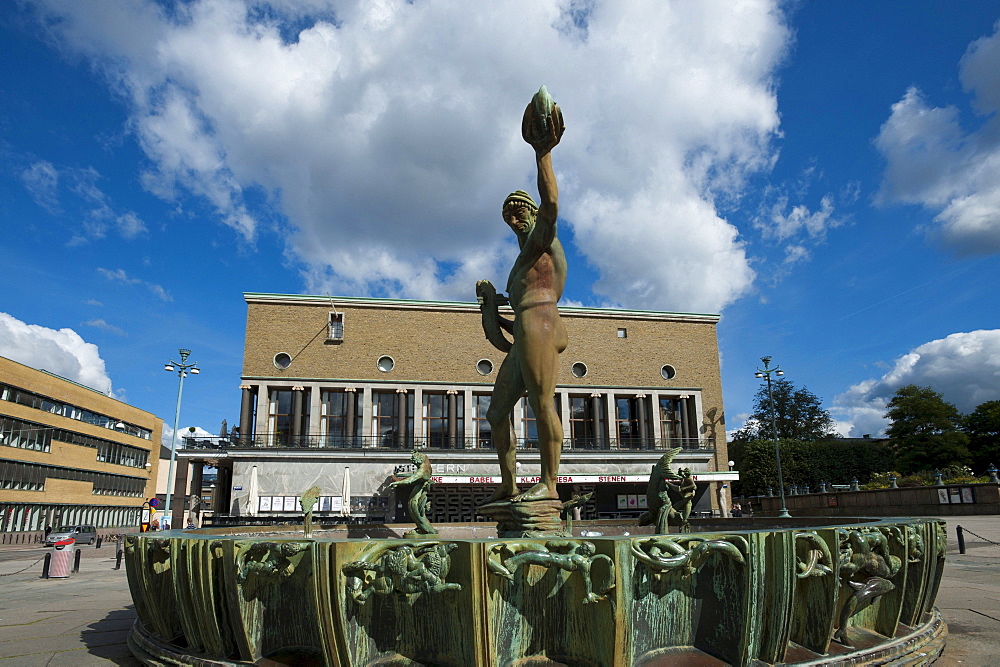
[{"x": 931, "y": 160}]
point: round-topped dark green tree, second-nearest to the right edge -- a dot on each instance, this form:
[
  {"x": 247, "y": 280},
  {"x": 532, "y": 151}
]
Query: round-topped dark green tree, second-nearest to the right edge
[{"x": 925, "y": 430}]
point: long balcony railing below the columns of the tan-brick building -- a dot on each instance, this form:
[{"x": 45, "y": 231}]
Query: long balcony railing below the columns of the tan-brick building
[{"x": 405, "y": 443}]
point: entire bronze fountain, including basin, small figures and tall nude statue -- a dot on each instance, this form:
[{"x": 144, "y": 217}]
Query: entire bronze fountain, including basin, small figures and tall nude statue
[{"x": 846, "y": 590}]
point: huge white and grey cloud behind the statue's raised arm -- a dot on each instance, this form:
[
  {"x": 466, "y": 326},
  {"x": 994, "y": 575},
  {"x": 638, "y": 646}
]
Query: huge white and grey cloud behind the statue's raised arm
[{"x": 386, "y": 132}]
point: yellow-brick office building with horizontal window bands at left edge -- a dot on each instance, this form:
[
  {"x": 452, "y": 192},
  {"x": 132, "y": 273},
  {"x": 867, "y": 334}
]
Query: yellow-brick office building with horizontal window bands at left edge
[{"x": 70, "y": 454}]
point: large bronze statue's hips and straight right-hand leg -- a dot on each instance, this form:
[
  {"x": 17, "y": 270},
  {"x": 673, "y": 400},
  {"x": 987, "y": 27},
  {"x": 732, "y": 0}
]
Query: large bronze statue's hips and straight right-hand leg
[{"x": 541, "y": 337}]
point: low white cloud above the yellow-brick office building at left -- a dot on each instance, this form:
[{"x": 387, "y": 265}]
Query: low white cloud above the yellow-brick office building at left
[{"x": 62, "y": 352}]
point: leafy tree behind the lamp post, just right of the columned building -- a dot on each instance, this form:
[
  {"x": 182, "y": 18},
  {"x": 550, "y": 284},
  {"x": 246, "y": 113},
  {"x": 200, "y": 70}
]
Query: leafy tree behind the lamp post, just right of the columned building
[{"x": 798, "y": 415}]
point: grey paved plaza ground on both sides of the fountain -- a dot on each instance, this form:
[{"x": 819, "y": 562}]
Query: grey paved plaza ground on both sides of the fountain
[{"x": 83, "y": 620}]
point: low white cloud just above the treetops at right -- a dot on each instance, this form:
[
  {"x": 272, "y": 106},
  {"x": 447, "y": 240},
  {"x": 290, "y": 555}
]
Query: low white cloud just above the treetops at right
[{"x": 964, "y": 368}]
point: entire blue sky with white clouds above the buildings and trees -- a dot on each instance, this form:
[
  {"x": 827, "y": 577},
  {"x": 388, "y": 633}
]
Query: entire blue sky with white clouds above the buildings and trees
[{"x": 826, "y": 176}]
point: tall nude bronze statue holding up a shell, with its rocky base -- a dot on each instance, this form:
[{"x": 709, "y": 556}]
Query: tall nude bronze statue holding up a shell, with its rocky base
[{"x": 534, "y": 287}]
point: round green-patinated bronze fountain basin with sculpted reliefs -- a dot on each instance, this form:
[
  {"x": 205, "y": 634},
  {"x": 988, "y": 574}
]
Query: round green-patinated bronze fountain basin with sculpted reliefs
[{"x": 807, "y": 591}]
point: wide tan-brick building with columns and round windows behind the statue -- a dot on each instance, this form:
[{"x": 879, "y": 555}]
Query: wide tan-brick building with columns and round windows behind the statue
[{"x": 336, "y": 392}]
